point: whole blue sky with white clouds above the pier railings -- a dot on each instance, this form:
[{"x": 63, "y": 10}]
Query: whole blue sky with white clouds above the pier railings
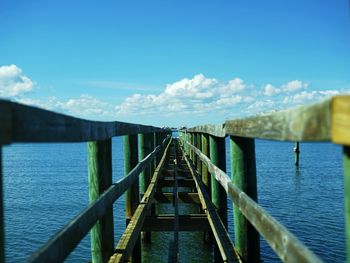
[{"x": 173, "y": 62}]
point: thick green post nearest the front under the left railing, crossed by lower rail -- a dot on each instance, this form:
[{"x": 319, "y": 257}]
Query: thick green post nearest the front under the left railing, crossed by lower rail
[{"x": 100, "y": 178}]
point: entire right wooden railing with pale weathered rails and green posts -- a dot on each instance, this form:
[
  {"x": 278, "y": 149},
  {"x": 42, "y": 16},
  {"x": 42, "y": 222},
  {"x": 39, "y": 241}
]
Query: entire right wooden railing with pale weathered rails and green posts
[{"x": 205, "y": 145}]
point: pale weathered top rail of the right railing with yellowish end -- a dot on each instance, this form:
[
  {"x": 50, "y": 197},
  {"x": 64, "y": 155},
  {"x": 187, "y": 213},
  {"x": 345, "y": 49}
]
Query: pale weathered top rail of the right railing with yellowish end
[{"x": 328, "y": 120}]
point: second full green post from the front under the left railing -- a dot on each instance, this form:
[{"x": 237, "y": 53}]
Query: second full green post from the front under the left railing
[{"x": 132, "y": 194}]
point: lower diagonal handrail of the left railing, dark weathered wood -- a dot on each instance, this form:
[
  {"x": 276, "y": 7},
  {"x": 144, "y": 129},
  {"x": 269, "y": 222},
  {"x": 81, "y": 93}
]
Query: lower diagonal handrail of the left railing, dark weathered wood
[{"x": 59, "y": 246}]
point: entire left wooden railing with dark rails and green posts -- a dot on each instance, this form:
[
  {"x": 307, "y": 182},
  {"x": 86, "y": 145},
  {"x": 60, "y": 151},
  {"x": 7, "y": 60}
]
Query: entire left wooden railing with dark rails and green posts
[{"x": 20, "y": 123}]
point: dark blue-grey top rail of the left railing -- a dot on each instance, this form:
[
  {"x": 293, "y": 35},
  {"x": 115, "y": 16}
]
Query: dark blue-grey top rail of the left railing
[{"x": 21, "y": 123}]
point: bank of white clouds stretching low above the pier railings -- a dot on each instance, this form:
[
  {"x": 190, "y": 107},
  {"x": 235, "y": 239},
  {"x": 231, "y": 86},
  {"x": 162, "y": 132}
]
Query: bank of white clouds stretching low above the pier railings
[{"x": 199, "y": 99}]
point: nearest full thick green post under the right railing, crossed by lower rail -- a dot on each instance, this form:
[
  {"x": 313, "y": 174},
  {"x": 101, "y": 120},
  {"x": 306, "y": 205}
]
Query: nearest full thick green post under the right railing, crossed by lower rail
[{"x": 243, "y": 173}]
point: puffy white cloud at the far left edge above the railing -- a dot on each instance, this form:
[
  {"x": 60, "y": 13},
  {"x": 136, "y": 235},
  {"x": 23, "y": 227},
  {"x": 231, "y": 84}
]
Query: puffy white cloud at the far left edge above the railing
[{"x": 13, "y": 82}]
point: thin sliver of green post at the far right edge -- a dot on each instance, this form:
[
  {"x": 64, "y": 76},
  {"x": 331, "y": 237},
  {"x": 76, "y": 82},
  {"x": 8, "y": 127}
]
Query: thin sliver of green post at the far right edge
[{"x": 346, "y": 164}]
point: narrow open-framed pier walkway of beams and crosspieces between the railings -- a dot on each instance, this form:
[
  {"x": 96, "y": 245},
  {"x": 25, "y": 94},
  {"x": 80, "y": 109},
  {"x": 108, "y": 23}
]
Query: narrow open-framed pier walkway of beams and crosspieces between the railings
[{"x": 175, "y": 172}]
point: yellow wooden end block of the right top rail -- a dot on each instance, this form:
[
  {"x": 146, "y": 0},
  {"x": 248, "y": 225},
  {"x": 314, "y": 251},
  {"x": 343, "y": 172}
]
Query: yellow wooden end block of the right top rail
[{"x": 341, "y": 120}]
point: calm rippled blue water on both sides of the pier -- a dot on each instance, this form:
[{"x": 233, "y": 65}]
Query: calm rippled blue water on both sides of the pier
[{"x": 46, "y": 186}]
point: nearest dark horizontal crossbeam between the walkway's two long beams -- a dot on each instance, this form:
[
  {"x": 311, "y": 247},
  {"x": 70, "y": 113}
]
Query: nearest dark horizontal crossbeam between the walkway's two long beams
[{"x": 187, "y": 223}]
